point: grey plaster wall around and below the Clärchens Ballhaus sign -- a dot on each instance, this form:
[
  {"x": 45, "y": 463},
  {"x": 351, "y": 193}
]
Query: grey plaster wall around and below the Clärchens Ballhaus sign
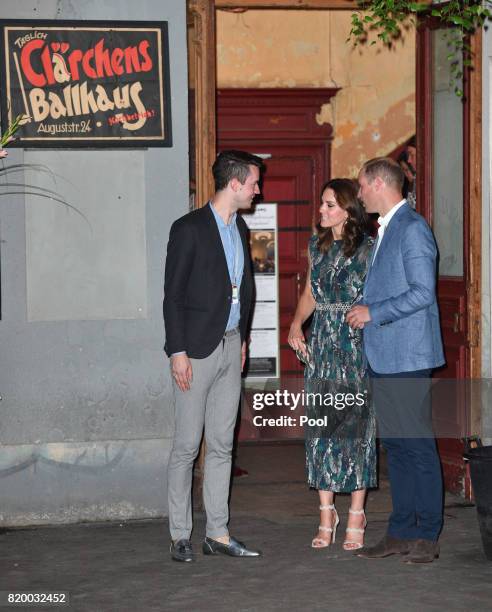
[{"x": 86, "y": 416}]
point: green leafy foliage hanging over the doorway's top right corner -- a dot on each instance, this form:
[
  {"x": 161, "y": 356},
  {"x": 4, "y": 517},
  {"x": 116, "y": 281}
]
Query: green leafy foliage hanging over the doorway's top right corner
[{"x": 389, "y": 17}]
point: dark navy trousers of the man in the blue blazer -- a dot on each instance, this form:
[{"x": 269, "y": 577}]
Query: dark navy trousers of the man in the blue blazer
[{"x": 404, "y": 415}]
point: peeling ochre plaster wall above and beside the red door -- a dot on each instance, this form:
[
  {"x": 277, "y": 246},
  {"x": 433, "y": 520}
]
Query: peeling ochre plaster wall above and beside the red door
[{"x": 375, "y": 110}]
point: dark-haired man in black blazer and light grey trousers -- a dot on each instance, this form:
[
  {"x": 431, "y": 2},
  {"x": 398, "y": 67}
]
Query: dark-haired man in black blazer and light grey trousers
[{"x": 208, "y": 291}]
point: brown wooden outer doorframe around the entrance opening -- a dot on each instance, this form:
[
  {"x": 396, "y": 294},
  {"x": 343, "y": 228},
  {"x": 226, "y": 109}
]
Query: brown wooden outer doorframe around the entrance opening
[{"x": 204, "y": 80}]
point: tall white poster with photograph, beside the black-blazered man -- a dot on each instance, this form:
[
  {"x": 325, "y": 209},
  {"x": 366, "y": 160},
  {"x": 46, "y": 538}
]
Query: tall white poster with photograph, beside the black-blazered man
[{"x": 264, "y": 346}]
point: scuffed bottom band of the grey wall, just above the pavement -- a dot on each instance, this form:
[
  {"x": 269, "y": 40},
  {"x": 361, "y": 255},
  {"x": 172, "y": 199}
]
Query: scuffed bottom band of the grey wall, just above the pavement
[{"x": 70, "y": 482}]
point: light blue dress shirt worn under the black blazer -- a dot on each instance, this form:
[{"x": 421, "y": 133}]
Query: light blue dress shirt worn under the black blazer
[{"x": 233, "y": 249}]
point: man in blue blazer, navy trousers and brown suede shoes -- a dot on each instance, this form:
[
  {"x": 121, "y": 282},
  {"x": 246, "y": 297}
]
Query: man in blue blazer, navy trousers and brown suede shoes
[{"x": 402, "y": 343}]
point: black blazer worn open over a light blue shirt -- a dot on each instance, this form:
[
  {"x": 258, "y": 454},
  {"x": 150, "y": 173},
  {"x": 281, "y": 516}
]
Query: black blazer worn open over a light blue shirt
[{"x": 197, "y": 286}]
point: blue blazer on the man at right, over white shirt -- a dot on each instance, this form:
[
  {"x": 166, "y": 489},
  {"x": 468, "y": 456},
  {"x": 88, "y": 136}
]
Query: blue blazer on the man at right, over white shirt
[{"x": 400, "y": 289}]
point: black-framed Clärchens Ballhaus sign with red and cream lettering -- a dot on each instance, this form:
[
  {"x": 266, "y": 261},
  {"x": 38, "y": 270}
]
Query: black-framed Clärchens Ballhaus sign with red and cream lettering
[{"x": 86, "y": 83}]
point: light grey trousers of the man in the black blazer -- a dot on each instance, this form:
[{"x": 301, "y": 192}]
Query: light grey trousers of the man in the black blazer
[{"x": 211, "y": 403}]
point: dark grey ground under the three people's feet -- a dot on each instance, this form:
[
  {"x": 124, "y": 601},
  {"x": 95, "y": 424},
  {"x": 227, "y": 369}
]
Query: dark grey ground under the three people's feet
[{"x": 122, "y": 567}]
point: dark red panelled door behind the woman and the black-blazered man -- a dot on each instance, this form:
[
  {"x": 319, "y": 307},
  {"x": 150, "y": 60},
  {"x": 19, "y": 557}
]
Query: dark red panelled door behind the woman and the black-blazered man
[{"x": 281, "y": 125}]
